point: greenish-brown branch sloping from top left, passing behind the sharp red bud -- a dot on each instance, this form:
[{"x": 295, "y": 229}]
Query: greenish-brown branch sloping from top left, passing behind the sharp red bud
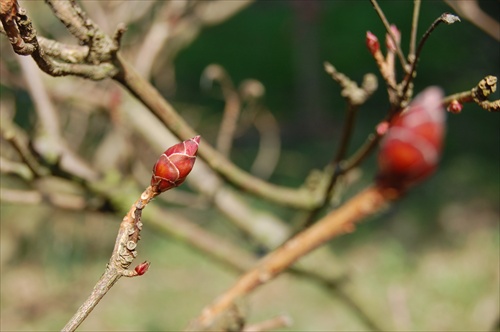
[{"x": 124, "y": 73}]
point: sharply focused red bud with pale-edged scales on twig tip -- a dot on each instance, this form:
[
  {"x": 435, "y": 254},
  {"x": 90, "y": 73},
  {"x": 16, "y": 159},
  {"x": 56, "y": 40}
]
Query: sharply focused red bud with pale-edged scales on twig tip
[{"x": 173, "y": 166}]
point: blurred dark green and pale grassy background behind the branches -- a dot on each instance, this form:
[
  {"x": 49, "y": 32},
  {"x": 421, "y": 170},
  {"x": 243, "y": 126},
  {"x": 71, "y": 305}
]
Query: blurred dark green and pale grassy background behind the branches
[{"x": 428, "y": 263}]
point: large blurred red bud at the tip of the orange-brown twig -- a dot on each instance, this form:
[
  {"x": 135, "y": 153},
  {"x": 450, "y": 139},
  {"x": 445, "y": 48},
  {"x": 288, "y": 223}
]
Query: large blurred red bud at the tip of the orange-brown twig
[{"x": 410, "y": 150}]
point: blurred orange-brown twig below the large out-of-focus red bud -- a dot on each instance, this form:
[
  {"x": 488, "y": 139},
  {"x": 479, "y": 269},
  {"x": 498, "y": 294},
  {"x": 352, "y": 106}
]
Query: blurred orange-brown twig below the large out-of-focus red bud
[{"x": 337, "y": 222}]
